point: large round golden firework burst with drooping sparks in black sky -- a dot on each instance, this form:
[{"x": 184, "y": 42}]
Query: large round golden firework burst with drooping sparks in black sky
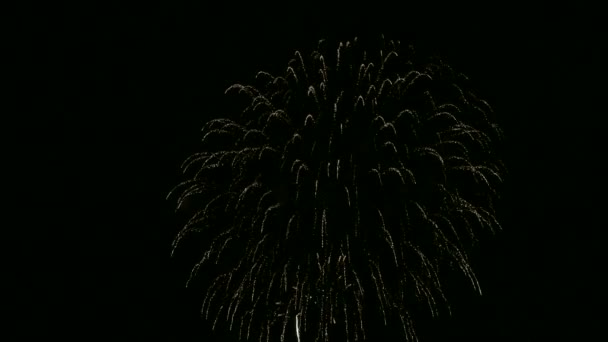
[{"x": 340, "y": 193}]
